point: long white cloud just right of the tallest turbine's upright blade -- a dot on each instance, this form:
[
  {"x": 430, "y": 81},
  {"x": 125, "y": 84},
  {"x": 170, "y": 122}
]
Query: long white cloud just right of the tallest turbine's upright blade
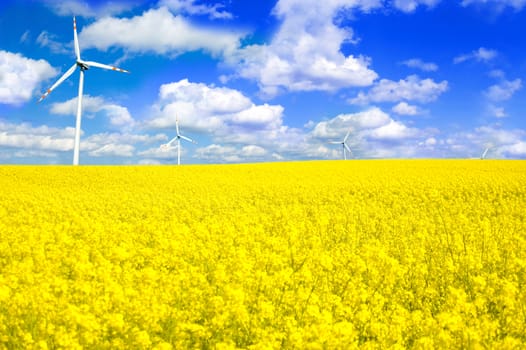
[{"x": 158, "y": 31}]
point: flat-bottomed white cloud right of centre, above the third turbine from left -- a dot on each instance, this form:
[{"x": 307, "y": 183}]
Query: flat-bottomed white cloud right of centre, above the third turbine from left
[{"x": 410, "y": 89}]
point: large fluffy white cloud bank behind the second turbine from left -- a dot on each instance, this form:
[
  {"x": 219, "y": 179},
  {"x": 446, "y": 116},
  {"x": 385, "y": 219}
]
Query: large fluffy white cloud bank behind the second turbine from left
[{"x": 238, "y": 127}]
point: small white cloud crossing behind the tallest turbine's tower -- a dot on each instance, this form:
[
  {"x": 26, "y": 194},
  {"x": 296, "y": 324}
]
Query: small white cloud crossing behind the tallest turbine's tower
[{"x": 117, "y": 115}]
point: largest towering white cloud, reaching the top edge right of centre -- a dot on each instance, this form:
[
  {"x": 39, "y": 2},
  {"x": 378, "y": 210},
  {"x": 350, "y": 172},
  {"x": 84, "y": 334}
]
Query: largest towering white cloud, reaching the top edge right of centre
[{"x": 304, "y": 54}]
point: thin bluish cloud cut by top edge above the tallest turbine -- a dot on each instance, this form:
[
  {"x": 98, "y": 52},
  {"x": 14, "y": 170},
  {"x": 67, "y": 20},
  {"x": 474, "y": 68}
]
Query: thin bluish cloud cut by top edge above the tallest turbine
[{"x": 90, "y": 9}]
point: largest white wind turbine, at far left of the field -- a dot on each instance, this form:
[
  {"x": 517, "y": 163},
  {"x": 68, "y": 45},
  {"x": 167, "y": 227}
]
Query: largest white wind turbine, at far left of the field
[{"x": 83, "y": 65}]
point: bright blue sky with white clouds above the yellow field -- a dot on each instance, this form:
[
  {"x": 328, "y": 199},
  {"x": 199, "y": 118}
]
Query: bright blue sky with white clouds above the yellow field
[{"x": 255, "y": 81}]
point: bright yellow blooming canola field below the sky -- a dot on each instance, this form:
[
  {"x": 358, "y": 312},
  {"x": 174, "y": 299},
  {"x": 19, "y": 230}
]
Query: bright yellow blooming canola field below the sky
[{"x": 309, "y": 255}]
